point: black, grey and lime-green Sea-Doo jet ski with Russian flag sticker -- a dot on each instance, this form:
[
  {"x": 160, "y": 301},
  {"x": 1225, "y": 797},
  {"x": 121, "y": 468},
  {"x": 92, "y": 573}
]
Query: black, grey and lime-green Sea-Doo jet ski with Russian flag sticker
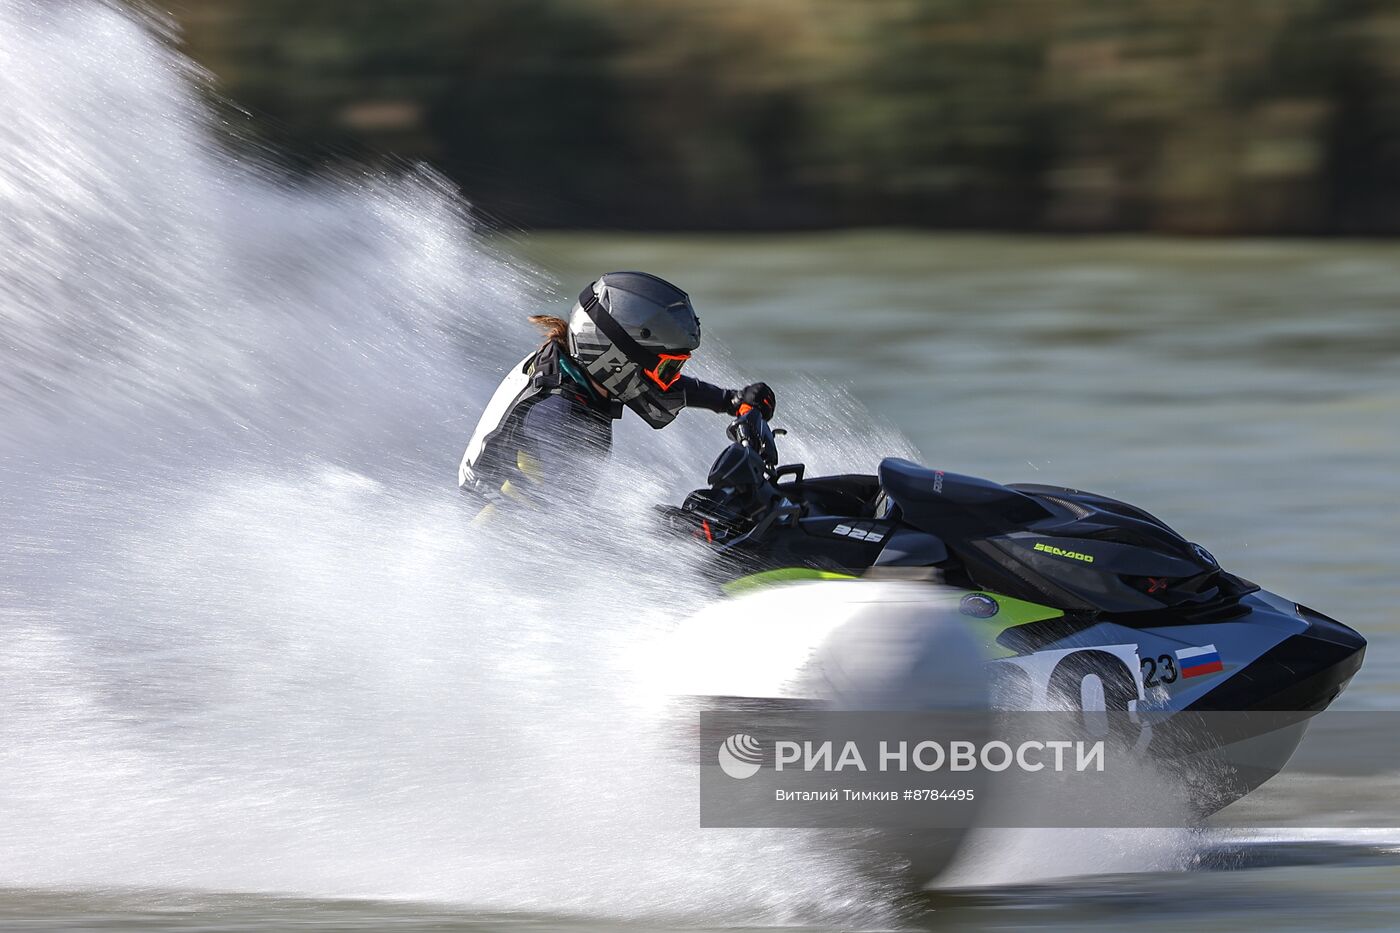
[{"x": 1056, "y": 585}]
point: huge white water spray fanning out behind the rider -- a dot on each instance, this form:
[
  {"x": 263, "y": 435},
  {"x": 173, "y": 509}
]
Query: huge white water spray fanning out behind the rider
[{"x": 250, "y": 641}]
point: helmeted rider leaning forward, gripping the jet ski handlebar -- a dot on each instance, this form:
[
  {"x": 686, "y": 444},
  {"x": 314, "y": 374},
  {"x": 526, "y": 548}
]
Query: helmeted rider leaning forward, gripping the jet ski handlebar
[{"x": 549, "y": 425}]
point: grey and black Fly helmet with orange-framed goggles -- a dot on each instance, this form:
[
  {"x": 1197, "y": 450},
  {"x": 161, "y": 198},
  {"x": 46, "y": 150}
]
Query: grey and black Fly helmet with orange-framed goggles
[{"x": 633, "y": 333}]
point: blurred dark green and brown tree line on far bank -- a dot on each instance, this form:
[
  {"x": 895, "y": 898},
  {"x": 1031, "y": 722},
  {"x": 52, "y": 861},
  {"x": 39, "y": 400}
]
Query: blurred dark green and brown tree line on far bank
[{"x": 1165, "y": 116}]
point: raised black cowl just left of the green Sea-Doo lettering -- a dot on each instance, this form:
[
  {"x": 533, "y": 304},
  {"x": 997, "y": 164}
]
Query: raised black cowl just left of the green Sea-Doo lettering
[{"x": 940, "y": 502}]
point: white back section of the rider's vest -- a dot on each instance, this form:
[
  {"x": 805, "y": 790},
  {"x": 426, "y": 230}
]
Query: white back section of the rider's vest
[{"x": 492, "y": 457}]
